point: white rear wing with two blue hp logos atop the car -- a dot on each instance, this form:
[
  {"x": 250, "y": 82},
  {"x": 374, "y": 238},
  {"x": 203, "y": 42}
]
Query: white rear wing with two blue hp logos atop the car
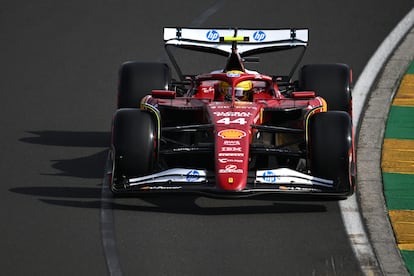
[{"x": 249, "y": 41}]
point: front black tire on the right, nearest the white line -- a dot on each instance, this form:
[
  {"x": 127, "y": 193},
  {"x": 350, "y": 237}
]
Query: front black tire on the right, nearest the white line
[{"x": 331, "y": 149}]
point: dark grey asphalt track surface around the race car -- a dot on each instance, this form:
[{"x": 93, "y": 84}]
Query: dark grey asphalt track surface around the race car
[{"x": 59, "y": 65}]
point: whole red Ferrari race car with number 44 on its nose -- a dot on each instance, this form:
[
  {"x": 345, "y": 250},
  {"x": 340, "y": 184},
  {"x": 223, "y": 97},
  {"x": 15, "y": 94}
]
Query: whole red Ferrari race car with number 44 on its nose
[{"x": 233, "y": 131}]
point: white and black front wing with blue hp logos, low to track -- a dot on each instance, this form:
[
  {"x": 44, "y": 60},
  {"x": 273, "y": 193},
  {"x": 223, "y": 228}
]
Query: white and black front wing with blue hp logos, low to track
[{"x": 281, "y": 180}]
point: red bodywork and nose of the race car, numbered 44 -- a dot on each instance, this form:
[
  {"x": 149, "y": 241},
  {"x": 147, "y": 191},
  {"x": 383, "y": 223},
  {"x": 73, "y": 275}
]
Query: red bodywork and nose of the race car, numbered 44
[{"x": 233, "y": 120}]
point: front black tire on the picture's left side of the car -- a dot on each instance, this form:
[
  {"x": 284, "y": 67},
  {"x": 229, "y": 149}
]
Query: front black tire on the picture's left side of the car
[{"x": 133, "y": 144}]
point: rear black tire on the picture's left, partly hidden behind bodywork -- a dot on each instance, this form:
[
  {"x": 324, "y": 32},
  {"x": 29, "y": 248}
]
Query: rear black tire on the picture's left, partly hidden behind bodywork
[{"x": 138, "y": 79}]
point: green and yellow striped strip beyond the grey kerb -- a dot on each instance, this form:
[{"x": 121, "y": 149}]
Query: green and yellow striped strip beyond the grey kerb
[{"x": 398, "y": 167}]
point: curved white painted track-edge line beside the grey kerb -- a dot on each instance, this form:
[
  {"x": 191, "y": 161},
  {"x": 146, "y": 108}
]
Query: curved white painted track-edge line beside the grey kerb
[{"x": 349, "y": 208}]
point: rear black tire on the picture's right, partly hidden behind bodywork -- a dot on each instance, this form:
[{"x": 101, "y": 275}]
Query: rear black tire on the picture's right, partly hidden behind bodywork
[{"x": 330, "y": 81}]
